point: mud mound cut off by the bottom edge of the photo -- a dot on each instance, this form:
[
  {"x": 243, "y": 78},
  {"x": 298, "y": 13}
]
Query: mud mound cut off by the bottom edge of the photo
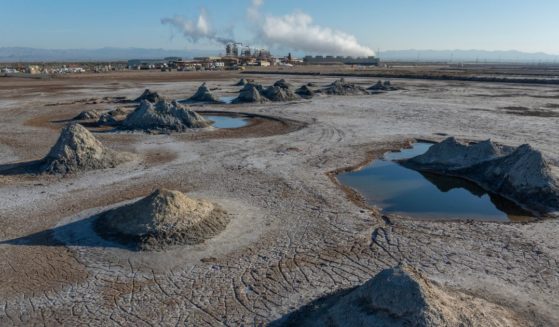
[{"x": 400, "y": 297}]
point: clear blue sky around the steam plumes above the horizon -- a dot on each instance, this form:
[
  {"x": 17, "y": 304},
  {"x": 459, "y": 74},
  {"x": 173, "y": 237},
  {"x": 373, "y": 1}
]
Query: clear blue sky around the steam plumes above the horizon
[{"x": 530, "y": 26}]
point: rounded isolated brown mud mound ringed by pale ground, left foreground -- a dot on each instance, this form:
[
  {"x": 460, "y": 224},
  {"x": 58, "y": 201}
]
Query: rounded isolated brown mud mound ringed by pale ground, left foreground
[{"x": 163, "y": 218}]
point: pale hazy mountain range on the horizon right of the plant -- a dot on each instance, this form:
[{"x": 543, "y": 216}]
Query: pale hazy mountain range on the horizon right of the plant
[{"x": 467, "y": 55}]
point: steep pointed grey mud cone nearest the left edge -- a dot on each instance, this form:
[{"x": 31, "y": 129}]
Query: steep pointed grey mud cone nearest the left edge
[{"x": 78, "y": 150}]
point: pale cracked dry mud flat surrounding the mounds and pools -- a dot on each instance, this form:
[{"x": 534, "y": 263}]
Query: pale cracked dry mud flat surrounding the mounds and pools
[{"x": 294, "y": 235}]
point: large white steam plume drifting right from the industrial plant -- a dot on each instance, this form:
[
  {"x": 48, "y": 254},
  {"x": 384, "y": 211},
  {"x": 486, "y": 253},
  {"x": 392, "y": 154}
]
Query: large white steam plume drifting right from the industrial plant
[{"x": 297, "y": 32}]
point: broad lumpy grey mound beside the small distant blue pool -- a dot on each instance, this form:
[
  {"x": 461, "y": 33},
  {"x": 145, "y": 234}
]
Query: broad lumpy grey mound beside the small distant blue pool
[{"x": 164, "y": 116}]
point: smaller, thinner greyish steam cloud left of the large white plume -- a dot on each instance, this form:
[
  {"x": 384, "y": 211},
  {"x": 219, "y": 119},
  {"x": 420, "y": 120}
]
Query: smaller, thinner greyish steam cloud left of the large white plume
[{"x": 195, "y": 30}]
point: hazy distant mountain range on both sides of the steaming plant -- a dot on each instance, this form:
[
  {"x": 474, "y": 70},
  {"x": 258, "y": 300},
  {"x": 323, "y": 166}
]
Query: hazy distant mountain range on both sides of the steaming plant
[{"x": 23, "y": 54}]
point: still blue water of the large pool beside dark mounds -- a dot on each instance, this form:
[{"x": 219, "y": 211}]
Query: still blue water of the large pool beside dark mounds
[{"x": 400, "y": 190}]
